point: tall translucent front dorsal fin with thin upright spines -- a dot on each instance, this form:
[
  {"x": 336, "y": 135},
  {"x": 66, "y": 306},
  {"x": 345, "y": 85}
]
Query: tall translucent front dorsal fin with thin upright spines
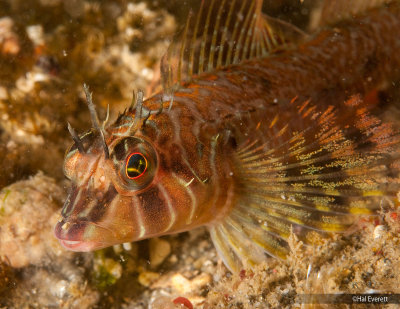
[{"x": 221, "y": 33}]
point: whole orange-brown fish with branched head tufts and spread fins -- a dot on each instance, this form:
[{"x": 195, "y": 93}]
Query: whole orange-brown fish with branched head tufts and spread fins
[{"x": 259, "y": 132}]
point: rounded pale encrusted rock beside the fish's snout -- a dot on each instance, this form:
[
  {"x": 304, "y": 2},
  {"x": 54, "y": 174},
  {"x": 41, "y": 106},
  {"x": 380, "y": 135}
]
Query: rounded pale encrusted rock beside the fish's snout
[{"x": 28, "y": 212}]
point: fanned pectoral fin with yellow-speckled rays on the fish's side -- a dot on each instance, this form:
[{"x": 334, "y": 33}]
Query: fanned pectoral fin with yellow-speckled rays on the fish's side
[{"x": 328, "y": 168}]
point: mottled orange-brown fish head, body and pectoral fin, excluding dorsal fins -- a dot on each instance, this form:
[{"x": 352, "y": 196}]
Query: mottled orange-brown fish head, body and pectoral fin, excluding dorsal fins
[{"x": 201, "y": 144}]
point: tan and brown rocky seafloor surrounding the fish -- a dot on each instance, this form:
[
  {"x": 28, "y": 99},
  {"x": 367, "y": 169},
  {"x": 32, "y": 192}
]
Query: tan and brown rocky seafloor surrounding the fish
[{"x": 48, "y": 49}]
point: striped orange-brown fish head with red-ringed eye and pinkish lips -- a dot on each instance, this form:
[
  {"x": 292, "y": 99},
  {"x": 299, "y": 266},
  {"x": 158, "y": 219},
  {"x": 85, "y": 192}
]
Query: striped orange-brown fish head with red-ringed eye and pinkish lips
[{"x": 139, "y": 190}]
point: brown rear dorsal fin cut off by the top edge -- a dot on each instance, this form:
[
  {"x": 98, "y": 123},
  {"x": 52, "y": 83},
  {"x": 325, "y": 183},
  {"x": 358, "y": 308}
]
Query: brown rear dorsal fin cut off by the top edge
[{"x": 332, "y": 11}]
